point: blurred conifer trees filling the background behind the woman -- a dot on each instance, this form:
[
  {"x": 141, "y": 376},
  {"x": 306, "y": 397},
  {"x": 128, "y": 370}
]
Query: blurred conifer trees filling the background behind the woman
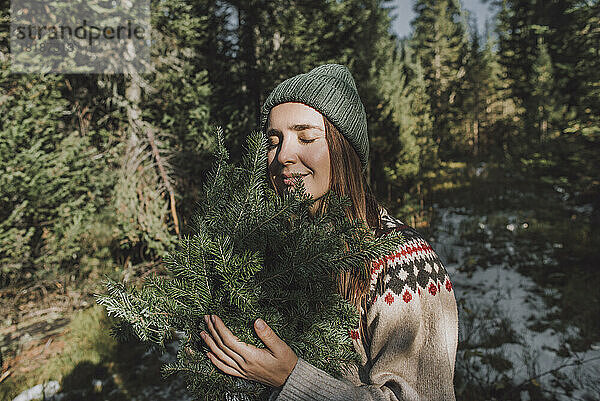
[{"x": 100, "y": 173}]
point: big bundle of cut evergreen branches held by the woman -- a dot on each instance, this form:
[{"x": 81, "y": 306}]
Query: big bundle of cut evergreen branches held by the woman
[{"x": 252, "y": 254}]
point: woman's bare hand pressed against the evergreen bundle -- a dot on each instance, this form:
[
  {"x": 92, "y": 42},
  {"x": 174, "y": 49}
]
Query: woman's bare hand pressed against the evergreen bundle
[{"x": 271, "y": 365}]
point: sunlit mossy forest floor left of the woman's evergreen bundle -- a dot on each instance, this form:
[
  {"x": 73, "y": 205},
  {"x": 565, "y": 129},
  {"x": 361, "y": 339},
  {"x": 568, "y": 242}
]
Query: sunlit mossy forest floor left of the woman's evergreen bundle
[{"x": 55, "y": 332}]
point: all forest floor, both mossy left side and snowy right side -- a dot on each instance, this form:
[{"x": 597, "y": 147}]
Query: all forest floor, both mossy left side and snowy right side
[{"x": 522, "y": 261}]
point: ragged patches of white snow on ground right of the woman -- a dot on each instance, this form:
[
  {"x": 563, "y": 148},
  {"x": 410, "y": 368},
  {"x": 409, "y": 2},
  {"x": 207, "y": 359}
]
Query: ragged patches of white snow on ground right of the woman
[{"x": 507, "y": 293}]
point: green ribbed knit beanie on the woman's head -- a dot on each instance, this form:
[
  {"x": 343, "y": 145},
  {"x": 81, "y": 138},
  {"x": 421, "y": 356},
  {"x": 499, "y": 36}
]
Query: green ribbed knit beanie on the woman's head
[{"x": 329, "y": 89}]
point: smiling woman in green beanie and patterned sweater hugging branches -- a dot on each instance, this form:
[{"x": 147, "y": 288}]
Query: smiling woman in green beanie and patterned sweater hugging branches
[{"x": 407, "y": 335}]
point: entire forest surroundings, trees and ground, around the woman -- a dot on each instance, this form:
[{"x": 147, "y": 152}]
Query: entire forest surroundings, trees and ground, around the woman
[{"x": 487, "y": 141}]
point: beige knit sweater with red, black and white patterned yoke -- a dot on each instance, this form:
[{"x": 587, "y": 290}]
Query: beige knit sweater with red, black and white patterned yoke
[{"x": 412, "y": 330}]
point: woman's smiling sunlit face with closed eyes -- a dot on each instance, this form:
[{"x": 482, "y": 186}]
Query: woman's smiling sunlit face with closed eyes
[{"x": 297, "y": 145}]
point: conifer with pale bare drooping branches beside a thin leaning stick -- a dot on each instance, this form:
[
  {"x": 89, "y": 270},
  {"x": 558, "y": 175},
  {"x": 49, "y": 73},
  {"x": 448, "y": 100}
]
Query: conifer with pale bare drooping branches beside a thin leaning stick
[{"x": 164, "y": 138}]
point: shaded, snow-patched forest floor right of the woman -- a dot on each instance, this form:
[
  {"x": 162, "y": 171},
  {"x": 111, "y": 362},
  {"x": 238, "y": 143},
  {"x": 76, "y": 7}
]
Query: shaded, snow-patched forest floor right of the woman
[{"x": 523, "y": 259}]
